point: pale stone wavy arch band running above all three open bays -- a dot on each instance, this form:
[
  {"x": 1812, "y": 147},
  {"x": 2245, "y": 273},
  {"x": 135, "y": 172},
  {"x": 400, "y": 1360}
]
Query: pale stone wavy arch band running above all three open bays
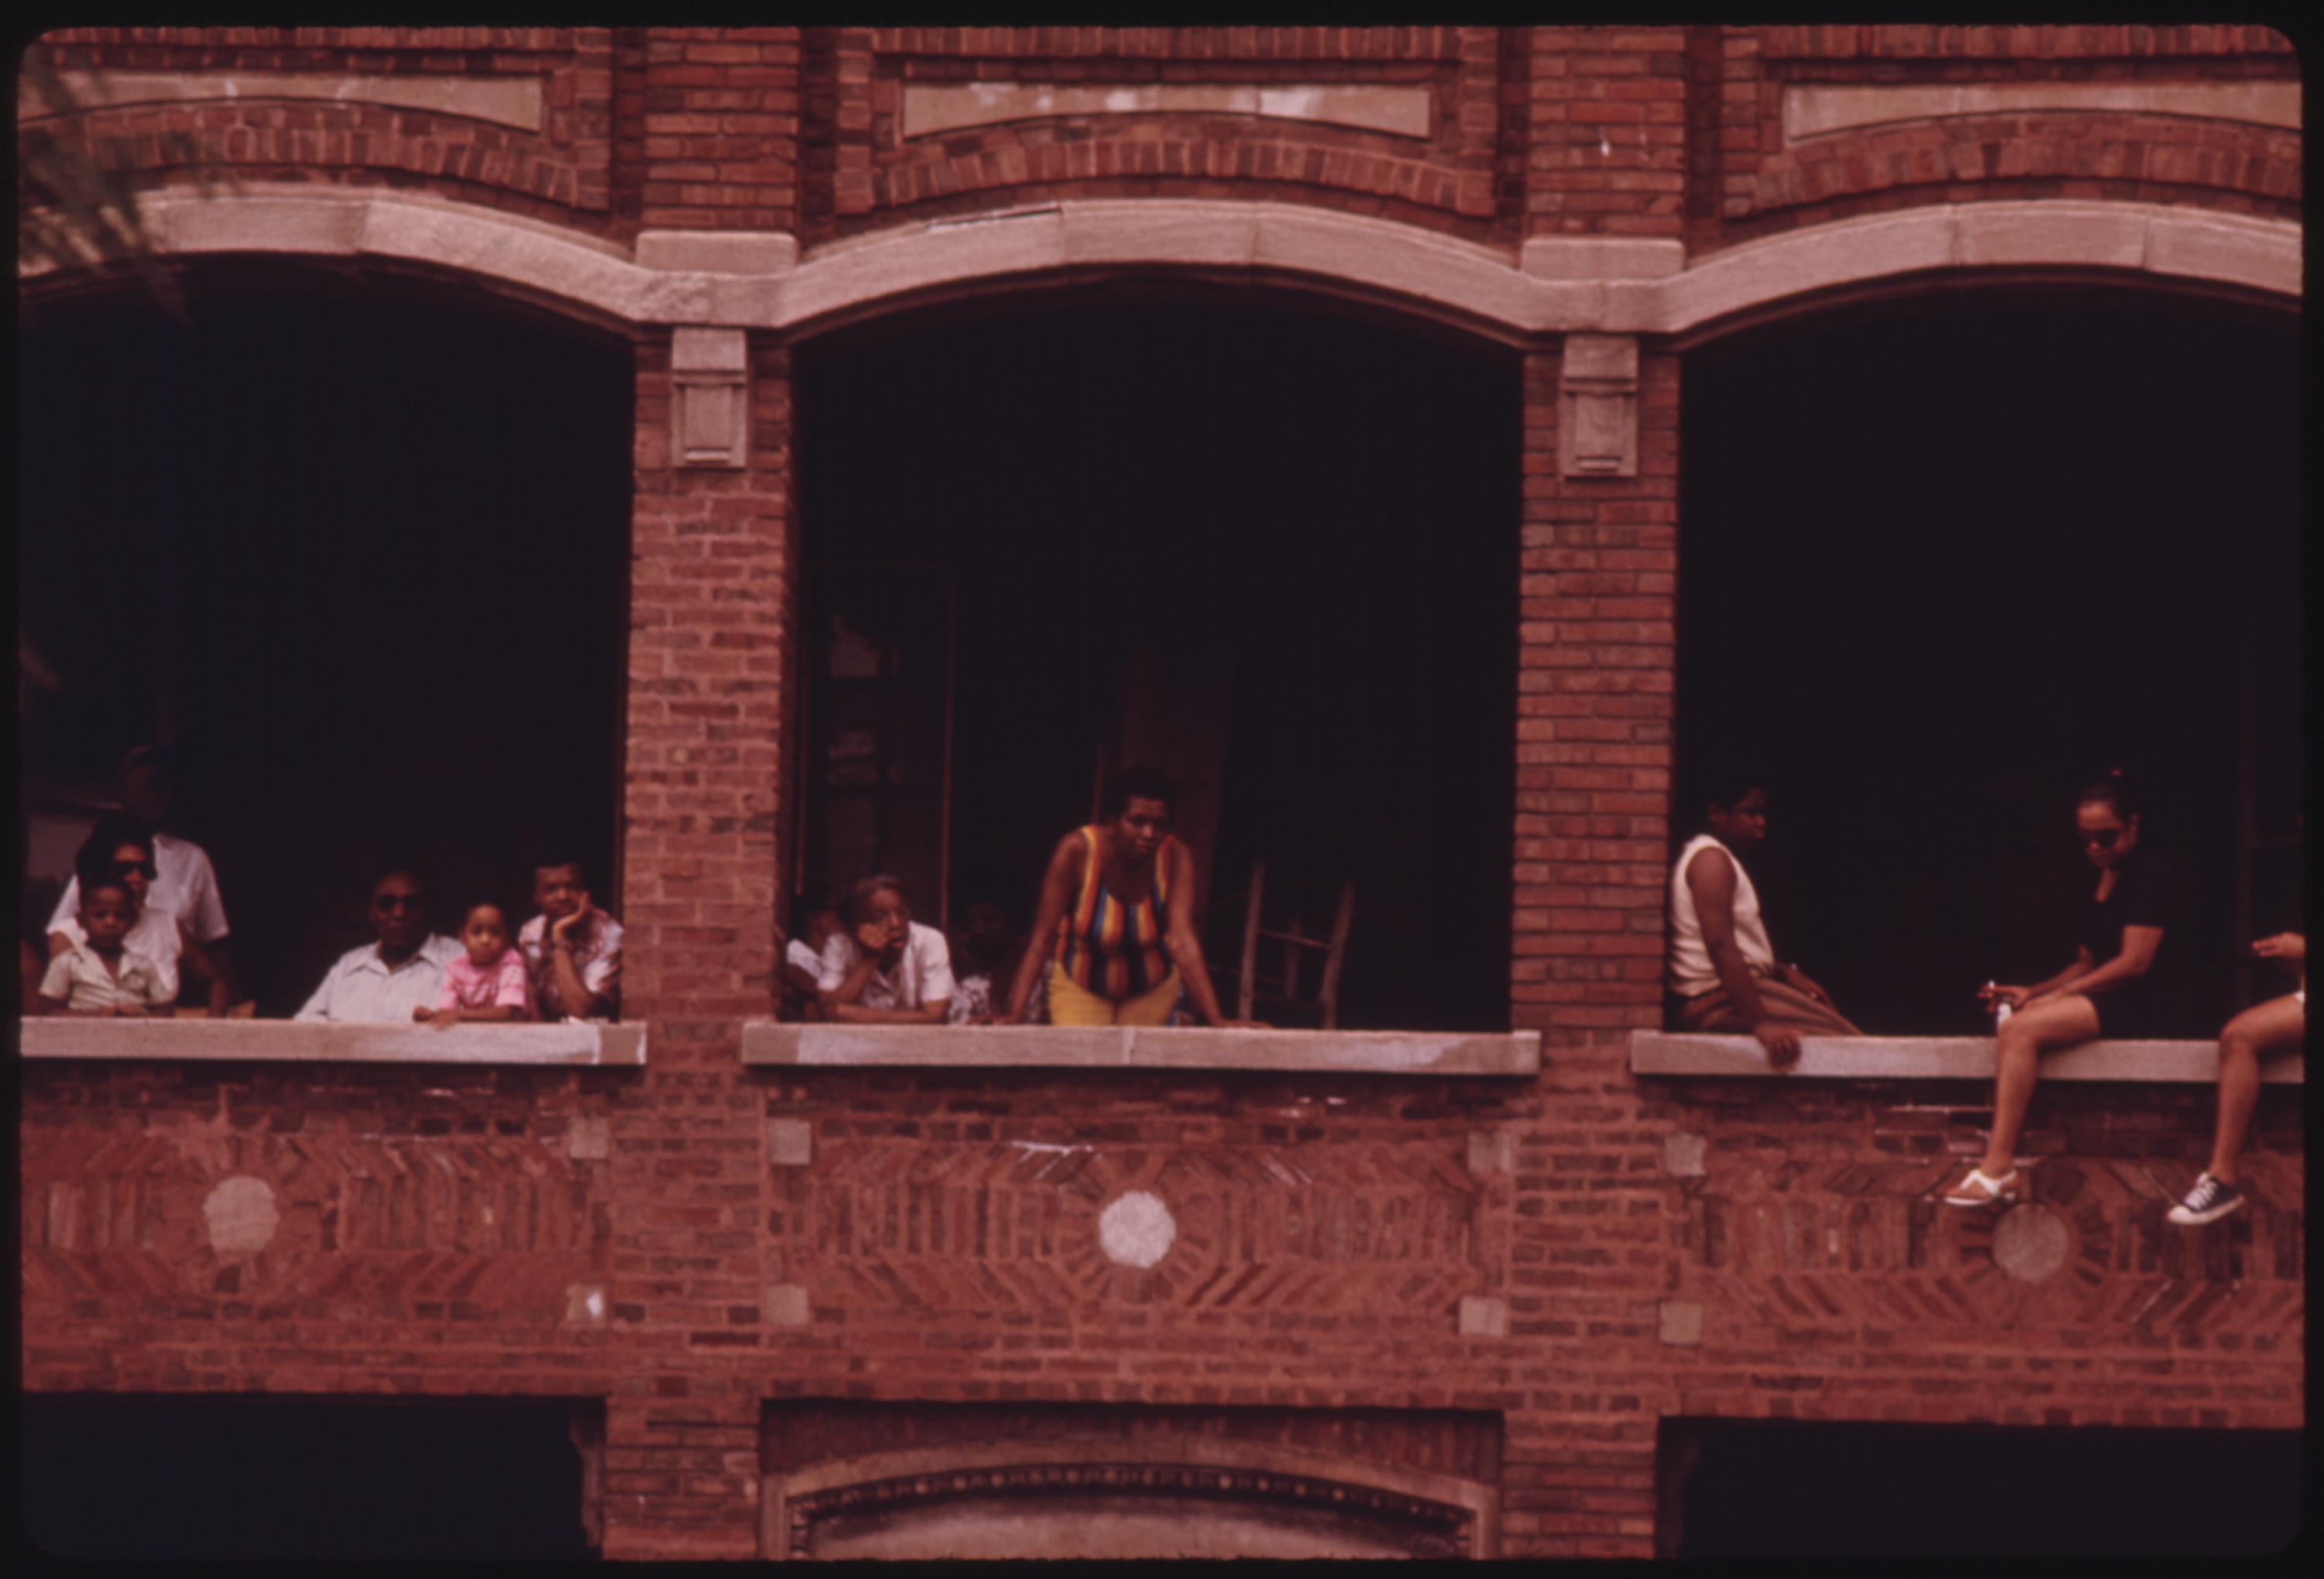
[{"x": 1554, "y": 287}]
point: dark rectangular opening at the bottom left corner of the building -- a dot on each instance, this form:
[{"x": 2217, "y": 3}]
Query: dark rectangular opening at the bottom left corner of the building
[{"x": 199, "y": 1478}]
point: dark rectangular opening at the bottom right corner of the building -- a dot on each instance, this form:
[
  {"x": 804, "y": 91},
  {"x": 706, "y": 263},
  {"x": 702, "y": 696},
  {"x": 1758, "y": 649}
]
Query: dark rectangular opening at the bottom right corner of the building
[{"x": 1849, "y": 1489}]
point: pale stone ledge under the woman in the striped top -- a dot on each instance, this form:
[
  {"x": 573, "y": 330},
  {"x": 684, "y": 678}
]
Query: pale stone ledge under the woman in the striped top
[{"x": 1066, "y": 1048}]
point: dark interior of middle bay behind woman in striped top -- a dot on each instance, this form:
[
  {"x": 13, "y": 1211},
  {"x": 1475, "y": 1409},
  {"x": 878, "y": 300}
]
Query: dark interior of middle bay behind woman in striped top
[{"x": 1263, "y": 550}]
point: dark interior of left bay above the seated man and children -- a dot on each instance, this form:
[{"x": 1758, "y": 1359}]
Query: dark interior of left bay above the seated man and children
[{"x": 361, "y": 552}]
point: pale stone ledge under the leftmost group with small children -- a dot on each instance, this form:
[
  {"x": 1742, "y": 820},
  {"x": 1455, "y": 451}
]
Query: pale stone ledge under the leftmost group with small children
[{"x": 189, "y": 1041}]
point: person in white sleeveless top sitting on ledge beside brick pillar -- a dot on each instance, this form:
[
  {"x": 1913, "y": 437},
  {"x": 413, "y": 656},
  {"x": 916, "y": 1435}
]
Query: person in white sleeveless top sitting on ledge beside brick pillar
[{"x": 1723, "y": 966}]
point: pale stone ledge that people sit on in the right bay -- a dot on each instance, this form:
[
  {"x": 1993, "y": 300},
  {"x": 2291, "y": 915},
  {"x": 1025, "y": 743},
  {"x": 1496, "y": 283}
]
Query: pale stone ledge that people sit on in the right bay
[{"x": 1654, "y": 1052}]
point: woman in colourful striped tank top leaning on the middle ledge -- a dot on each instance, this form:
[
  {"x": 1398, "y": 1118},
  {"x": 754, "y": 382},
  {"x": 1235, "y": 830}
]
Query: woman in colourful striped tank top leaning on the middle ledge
[{"x": 1117, "y": 920}]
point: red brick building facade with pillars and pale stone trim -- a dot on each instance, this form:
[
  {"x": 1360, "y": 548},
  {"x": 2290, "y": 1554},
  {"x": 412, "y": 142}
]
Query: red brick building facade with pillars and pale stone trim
[{"x": 1463, "y": 1301}]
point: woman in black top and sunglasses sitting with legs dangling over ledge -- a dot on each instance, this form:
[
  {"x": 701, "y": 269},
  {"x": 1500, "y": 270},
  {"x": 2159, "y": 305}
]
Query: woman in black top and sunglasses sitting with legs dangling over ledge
[{"x": 2104, "y": 992}]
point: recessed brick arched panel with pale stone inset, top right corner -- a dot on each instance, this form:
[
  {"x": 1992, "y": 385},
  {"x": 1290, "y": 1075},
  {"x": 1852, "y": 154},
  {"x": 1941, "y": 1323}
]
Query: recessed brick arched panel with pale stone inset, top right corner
[{"x": 1823, "y": 124}]
